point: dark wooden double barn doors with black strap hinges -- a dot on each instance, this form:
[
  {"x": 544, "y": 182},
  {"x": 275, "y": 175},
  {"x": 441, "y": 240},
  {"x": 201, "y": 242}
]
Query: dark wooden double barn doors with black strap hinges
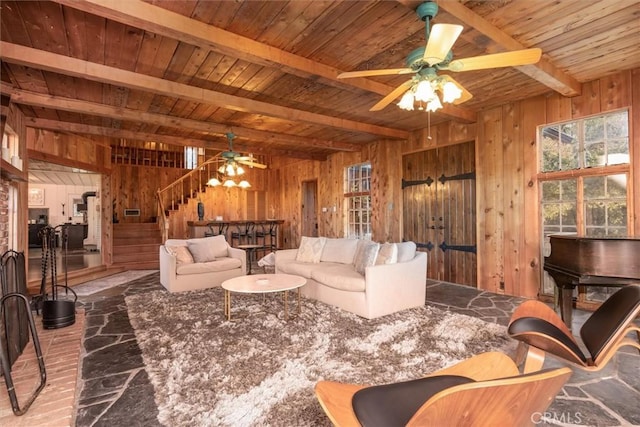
[{"x": 439, "y": 199}]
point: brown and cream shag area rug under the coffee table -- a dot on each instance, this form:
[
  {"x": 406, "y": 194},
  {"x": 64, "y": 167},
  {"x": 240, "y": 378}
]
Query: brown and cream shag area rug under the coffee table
[{"x": 260, "y": 370}]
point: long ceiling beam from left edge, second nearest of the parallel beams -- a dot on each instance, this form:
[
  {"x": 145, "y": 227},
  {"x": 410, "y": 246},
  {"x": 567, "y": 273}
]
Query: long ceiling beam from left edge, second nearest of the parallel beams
[{"x": 66, "y": 65}]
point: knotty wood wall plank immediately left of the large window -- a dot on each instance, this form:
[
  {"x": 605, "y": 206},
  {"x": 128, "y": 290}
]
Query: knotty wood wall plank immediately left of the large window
[{"x": 532, "y": 113}]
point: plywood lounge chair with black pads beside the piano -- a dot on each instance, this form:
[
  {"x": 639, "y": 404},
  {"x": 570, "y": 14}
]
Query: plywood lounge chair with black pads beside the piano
[{"x": 535, "y": 324}]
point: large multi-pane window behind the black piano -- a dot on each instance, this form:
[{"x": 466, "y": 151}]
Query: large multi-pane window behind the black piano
[{"x": 583, "y": 184}]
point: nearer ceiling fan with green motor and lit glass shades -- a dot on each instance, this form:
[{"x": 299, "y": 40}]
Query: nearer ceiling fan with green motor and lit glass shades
[{"x": 426, "y": 61}]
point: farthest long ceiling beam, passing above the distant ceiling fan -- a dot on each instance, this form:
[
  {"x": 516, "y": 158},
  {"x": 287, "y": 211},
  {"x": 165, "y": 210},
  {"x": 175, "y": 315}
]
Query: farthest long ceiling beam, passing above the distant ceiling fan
[{"x": 80, "y": 128}]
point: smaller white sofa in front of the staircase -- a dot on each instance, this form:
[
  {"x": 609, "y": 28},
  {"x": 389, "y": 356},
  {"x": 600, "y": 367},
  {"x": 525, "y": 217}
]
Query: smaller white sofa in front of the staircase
[{"x": 201, "y": 263}]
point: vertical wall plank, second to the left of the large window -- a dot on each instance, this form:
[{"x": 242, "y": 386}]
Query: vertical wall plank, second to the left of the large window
[{"x": 514, "y": 220}]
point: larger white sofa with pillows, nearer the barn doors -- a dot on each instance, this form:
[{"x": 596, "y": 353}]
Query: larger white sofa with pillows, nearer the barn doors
[{"x": 390, "y": 283}]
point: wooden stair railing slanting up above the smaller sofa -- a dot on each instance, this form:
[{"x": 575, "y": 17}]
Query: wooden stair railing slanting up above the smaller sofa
[{"x": 184, "y": 188}]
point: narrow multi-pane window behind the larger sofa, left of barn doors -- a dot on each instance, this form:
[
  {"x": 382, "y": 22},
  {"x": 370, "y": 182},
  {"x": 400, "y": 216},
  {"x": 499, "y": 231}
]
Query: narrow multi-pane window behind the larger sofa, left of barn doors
[{"x": 357, "y": 186}]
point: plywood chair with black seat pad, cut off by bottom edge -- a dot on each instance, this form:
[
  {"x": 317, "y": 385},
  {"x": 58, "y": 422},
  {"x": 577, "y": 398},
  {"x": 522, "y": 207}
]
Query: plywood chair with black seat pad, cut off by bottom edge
[{"x": 483, "y": 390}]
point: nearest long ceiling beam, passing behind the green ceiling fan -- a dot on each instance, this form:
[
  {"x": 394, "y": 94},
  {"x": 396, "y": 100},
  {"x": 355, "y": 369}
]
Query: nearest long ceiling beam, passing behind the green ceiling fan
[{"x": 160, "y": 21}]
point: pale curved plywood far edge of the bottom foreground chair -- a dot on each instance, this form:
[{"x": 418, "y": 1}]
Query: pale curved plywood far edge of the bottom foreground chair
[{"x": 485, "y": 366}]
